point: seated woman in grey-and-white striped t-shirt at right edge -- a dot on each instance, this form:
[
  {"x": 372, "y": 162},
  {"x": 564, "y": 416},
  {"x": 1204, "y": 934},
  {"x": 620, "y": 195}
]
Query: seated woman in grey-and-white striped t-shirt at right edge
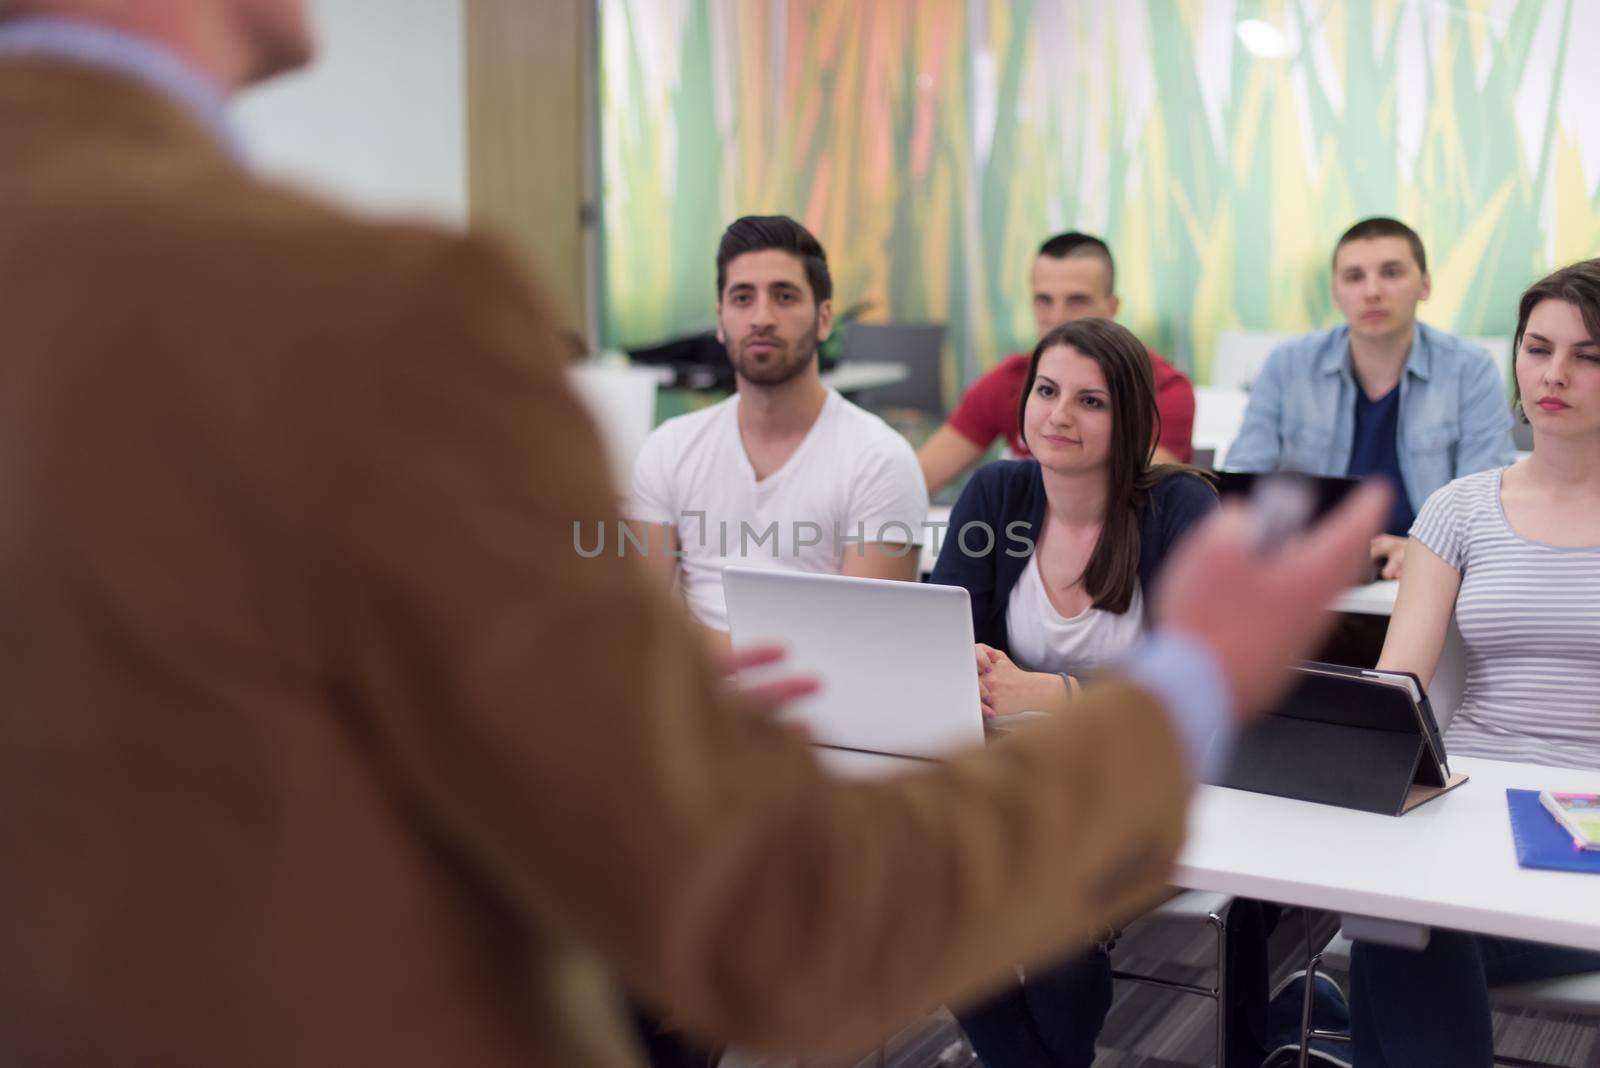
[{"x": 1516, "y": 556}]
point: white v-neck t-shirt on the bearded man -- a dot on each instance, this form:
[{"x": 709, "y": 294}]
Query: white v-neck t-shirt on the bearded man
[{"x": 854, "y": 480}]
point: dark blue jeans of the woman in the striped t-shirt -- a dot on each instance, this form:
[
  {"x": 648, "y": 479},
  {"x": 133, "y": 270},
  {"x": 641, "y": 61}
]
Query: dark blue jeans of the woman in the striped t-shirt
[{"x": 1433, "y": 1006}]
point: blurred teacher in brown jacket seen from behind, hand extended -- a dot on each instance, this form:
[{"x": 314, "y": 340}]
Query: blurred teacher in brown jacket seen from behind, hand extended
[{"x": 319, "y": 744}]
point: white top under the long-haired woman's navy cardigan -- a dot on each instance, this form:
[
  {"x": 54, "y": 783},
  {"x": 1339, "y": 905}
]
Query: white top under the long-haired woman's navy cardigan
[{"x": 1044, "y": 640}]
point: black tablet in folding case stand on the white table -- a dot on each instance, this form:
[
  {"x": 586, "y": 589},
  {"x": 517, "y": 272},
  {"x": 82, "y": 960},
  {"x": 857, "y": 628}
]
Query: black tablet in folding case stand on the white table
[{"x": 1345, "y": 738}]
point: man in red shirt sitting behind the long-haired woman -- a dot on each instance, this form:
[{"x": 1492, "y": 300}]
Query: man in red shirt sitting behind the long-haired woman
[{"x": 1074, "y": 277}]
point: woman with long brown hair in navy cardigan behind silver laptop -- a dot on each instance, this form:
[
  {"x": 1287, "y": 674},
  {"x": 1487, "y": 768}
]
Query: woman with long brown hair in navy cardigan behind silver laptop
[{"x": 1060, "y": 556}]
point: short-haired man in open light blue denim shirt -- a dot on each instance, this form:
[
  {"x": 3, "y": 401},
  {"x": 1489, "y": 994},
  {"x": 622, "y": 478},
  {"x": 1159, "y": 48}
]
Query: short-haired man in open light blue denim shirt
[{"x": 1380, "y": 396}]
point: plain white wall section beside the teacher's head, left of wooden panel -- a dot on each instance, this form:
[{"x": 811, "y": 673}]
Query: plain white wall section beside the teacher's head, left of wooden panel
[{"x": 380, "y": 122}]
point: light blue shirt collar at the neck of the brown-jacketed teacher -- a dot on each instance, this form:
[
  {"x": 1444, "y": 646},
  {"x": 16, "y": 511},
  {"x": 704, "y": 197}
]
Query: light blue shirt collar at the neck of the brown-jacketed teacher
[{"x": 135, "y": 57}]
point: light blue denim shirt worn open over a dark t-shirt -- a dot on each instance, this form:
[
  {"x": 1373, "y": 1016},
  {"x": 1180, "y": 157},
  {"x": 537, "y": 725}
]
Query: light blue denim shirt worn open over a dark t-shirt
[{"x": 1455, "y": 418}]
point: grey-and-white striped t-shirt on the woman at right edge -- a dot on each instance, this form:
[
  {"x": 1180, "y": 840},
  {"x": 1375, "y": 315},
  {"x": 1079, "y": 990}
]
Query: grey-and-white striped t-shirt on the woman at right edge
[{"x": 1530, "y": 621}]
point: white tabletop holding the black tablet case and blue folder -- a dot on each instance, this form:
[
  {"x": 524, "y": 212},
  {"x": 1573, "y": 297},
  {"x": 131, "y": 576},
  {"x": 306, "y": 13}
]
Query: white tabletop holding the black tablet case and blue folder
[{"x": 1447, "y": 864}]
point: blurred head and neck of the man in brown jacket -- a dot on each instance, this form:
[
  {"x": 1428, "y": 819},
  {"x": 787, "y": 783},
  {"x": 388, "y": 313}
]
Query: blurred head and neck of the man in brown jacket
[{"x": 234, "y": 42}]
